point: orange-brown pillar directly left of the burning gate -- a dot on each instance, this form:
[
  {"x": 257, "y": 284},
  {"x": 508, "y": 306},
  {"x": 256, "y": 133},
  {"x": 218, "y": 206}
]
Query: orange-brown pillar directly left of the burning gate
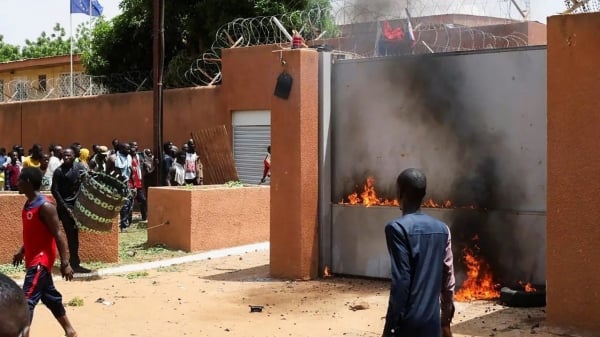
[{"x": 294, "y": 173}]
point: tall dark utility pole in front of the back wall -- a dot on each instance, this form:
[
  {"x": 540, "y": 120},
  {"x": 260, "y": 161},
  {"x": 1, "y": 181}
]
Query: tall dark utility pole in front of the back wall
[{"x": 158, "y": 55}]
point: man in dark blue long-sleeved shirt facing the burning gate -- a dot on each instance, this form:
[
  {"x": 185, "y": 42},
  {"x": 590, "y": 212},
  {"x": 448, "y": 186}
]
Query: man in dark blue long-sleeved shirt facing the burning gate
[{"x": 421, "y": 265}]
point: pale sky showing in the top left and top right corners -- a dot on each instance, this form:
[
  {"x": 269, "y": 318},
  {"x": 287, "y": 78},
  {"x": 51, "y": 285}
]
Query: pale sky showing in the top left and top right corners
[{"x": 26, "y": 19}]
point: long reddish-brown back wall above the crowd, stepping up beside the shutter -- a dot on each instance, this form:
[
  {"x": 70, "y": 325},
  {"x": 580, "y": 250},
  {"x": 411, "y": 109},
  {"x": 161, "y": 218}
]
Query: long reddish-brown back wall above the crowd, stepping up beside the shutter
[{"x": 248, "y": 83}]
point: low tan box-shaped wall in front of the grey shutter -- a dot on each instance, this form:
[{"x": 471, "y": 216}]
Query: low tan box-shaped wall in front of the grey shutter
[{"x": 208, "y": 217}]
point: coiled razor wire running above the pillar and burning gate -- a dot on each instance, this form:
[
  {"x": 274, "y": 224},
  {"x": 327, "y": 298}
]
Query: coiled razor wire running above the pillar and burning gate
[{"x": 321, "y": 24}]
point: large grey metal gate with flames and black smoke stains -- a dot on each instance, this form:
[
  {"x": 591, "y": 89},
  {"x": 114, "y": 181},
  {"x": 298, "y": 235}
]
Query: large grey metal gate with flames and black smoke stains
[{"x": 475, "y": 123}]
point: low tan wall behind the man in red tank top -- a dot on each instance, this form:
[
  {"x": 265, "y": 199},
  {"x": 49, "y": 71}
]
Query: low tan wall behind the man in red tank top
[{"x": 94, "y": 247}]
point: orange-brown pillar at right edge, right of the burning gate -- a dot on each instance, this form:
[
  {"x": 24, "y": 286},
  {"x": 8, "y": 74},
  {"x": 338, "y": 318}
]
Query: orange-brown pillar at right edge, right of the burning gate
[{"x": 573, "y": 228}]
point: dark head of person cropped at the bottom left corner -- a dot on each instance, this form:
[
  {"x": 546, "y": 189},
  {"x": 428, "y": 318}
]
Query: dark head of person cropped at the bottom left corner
[{"x": 14, "y": 311}]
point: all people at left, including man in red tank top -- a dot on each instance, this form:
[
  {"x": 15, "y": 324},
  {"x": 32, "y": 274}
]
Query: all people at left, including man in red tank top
[{"x": 59, "y": 171}]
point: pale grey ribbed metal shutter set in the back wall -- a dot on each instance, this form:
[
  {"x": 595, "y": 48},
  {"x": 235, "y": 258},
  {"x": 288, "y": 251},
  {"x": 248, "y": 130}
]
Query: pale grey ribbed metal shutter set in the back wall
[{"x": 251, "y": 136}]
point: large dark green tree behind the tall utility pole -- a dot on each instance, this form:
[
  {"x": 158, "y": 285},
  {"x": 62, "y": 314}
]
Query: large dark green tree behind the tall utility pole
[{"x": 124, "y": 44}]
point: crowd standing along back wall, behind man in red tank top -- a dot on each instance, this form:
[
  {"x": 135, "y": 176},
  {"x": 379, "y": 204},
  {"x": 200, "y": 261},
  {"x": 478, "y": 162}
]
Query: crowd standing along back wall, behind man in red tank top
[{"x": 62, "y": 168}]
